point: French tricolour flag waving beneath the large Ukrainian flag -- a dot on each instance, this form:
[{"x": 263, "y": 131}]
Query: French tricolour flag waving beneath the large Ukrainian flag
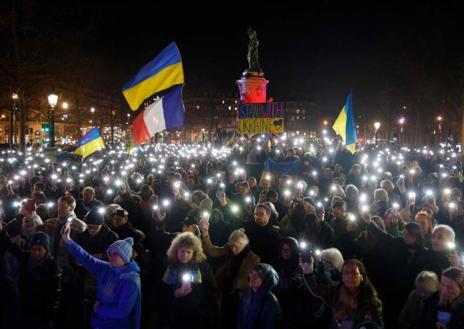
[{"x": 167, "y": 112}]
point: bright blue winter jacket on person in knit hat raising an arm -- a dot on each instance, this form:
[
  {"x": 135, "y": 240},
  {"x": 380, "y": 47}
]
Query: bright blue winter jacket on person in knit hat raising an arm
[{"x": 118, "y": 291}]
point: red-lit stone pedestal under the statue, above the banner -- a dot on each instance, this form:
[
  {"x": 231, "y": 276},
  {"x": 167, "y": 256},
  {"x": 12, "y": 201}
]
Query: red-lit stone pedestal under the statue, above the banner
[{"x": 252, "y": 87}]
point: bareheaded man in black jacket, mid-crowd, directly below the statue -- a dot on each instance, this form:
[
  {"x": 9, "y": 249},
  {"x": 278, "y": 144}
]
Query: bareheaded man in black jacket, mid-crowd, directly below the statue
[{"x": 264, "y": 237}]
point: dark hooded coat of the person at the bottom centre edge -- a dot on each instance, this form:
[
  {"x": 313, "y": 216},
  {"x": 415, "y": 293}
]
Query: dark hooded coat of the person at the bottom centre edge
[{"x": 261, "y": 309}]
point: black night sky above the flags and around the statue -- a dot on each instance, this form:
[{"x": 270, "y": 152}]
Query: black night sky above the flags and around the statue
[{"x": 318, "y": 53}]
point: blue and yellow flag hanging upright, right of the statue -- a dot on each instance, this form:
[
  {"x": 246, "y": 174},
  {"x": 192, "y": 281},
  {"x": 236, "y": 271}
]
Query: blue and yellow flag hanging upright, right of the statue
[{"x": 345, "y": 126}]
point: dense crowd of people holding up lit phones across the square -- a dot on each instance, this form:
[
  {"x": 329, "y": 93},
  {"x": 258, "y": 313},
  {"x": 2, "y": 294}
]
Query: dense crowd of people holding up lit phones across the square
[{"x": 266, "y": 232}]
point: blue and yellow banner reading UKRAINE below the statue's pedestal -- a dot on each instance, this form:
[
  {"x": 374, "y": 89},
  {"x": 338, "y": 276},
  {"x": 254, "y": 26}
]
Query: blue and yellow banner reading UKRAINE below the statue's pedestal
[{"x": 261, "y": 118}]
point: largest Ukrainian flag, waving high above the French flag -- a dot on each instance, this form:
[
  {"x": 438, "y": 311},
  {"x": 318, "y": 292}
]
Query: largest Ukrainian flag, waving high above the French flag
[{"x": 163, "y": 72}]
